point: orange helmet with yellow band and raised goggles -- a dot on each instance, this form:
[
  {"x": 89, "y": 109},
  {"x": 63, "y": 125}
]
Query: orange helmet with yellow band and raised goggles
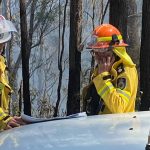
[{"x": 105, "y": 36}]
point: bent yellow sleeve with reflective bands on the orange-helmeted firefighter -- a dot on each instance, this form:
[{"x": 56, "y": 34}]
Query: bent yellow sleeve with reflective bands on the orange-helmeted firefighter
[{"x": 116, "y": 99}]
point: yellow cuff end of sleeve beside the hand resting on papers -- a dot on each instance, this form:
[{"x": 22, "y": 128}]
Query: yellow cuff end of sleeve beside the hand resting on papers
[{"x": 4, "y": 119}]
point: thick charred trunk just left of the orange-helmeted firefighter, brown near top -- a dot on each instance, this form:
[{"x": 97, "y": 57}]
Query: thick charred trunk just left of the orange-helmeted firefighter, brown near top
[{"x": 73, "y": 103}]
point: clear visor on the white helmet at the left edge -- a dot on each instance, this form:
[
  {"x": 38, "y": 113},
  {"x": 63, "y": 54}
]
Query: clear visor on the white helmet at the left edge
[{"x": 7, "y": 26}]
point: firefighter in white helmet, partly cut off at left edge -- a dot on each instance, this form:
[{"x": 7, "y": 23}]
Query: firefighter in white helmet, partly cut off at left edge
[{"x": 6, "y": 121}]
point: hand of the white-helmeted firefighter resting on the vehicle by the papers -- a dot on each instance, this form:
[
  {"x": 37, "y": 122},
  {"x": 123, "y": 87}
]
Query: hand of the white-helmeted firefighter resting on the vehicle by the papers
[{"x": 14, "y": 122}]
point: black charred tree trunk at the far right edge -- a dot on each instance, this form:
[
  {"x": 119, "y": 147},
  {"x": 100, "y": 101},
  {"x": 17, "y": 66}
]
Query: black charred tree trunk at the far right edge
[{"x": 145, "y": 57}]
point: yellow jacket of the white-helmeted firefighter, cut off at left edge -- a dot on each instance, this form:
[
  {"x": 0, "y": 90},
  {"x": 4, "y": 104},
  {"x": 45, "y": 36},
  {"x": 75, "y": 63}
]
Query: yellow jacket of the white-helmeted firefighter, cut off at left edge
[{"x": 5, "y": 91}]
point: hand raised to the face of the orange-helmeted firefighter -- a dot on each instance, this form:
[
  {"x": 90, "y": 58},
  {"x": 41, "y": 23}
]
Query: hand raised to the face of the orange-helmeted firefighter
[{"x": 105, "y": 64}]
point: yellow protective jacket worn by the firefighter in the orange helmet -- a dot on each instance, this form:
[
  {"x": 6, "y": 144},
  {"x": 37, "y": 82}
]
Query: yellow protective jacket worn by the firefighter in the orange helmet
[{"x": 118, "y": 87}]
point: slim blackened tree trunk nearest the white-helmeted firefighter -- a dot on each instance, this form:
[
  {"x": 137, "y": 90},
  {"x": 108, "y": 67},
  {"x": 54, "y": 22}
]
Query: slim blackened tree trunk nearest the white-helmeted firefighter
[{"x": 25, "y": 57}]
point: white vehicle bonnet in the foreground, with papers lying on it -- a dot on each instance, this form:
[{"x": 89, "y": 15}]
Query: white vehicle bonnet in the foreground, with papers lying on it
[{"x": 102, "y": 132}]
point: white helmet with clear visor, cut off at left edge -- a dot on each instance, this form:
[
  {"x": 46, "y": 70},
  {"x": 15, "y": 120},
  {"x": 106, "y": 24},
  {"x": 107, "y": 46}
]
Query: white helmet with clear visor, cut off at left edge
[{"x": 6, "y": 27}]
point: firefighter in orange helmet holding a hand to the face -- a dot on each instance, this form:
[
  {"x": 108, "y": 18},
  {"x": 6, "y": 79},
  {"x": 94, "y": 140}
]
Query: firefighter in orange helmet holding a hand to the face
[{"x": 115, "y": 78}]
